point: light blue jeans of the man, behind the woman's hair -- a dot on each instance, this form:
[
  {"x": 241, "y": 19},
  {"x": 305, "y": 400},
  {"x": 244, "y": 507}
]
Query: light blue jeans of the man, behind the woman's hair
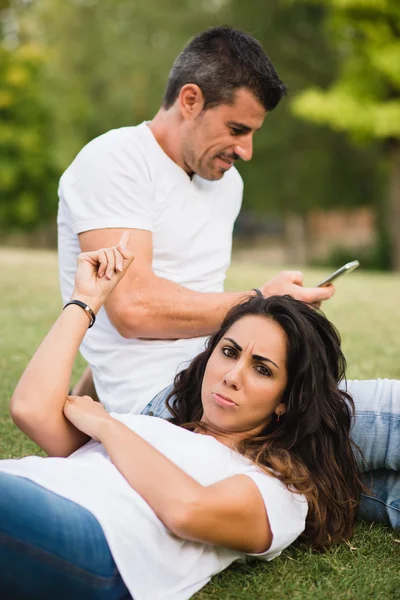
[{"x": 375, "y": 430}]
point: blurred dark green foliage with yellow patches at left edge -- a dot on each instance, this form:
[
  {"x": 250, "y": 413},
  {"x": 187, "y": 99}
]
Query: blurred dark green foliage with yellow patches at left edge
[{"x": 27, "y": 169}]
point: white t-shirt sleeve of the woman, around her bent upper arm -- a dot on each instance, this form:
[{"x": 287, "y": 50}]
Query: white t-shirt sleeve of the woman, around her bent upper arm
[{"x": 286, "y": 512}]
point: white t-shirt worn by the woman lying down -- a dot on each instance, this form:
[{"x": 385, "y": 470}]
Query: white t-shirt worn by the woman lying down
[{"x": 154, "y": 563}]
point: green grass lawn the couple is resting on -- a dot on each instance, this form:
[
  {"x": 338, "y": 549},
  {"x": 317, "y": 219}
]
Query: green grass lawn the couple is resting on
[{"x": 365, "y": 310}]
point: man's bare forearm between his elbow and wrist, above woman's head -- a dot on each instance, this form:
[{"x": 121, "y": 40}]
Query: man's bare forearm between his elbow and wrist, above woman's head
[{"x": 162, "y": 309}]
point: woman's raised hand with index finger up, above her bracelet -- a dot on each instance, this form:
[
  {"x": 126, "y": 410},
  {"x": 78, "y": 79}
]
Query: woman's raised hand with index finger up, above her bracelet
[{"x": 99, "y": 272}]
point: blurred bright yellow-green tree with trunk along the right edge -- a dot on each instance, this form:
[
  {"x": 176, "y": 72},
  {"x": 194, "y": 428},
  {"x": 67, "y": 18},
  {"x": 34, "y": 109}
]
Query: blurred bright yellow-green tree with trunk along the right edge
[{"x": 364, "y": 98}]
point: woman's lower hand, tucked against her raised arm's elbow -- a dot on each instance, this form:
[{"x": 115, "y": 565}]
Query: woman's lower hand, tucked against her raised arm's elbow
[{"x": 87, "y": 415}]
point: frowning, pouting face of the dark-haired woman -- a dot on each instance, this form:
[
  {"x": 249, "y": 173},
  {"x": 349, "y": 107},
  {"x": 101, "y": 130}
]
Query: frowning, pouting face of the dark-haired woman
[{"x": 245, "y": 377}]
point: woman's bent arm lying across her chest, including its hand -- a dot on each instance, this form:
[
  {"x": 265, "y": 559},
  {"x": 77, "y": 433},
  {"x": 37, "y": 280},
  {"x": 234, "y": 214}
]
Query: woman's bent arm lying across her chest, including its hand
[{"x": 230, "y": 513}]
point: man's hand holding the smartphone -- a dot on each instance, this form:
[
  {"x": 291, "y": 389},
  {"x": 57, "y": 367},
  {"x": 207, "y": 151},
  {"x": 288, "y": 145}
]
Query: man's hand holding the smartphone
[{"x": 291, "y": 282}]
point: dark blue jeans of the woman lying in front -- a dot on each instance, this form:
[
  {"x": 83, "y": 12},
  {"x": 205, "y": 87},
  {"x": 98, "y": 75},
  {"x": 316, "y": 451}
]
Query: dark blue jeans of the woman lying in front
[{"x": 51, "y": 548}]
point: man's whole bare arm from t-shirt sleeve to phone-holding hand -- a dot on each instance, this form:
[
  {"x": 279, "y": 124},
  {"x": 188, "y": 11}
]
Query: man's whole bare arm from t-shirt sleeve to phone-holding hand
[{"x": 147, "y": 306}]
